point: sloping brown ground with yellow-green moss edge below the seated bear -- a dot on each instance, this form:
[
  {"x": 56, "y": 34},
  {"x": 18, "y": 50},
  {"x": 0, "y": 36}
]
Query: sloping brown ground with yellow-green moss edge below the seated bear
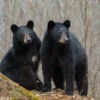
[{"x": 12, "y": 91}]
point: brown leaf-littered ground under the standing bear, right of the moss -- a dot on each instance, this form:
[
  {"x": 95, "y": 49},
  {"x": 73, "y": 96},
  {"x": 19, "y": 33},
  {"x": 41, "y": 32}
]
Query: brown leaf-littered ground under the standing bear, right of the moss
[{"x": 59, "y": 95}]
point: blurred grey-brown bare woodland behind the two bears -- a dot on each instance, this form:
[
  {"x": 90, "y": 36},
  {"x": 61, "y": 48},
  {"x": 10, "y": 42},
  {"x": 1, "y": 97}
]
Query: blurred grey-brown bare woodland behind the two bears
[{"x": 85, "y": 24}]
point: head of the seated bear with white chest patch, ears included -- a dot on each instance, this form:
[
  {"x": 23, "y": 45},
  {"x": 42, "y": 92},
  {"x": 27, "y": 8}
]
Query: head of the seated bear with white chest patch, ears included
[{"x": 23, "y": 34}]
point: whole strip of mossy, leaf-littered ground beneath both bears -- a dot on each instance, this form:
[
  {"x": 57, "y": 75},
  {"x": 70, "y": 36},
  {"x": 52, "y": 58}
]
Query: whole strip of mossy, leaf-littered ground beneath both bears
[{"x": 12, "y": 91}]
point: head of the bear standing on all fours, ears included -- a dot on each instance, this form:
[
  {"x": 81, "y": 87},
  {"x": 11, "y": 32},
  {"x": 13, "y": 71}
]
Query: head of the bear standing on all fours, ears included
[{"x": 59, "y": 32}]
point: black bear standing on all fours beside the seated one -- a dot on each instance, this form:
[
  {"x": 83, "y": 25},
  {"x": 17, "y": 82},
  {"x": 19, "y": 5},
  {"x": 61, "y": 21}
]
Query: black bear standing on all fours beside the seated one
[{"x": 63, "y": 58}]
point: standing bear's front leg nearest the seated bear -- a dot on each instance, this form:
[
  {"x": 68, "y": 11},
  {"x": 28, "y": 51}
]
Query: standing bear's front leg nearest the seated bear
[{"x": 47, "y": 77}]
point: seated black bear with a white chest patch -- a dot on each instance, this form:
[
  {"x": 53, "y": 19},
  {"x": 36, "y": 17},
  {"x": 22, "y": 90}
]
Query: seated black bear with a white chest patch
[{"x": 17, "y": 63}]
